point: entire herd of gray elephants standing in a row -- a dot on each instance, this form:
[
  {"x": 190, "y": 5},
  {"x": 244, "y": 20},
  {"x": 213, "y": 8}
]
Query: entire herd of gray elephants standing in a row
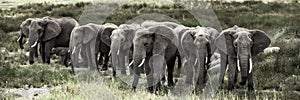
[{"x": 151, "y": 47}]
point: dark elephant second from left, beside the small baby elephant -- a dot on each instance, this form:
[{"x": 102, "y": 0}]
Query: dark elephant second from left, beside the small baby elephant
[{"x": 50, "y": 32}]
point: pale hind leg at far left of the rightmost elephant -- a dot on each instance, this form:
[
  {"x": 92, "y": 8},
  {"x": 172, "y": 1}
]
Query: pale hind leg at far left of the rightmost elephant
[{"x": 223, "y": 67}]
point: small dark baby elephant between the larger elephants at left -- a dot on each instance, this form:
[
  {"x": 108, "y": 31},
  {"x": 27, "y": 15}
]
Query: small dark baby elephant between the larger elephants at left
[{"x": 63, "y": 52}]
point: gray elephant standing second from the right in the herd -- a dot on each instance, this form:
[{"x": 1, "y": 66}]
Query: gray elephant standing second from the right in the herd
[{"x": 203, "y": 41}]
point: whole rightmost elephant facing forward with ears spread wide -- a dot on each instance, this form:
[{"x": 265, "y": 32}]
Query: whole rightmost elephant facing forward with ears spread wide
[{"x": 237, "y": 47}]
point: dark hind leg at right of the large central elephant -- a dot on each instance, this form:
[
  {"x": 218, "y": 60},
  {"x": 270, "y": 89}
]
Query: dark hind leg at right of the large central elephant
[{"x": 170, "y": 68}]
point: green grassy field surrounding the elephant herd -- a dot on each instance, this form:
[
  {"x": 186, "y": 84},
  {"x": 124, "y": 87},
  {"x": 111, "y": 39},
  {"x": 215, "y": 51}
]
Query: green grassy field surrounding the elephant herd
[{"x": 276, "y": 75}]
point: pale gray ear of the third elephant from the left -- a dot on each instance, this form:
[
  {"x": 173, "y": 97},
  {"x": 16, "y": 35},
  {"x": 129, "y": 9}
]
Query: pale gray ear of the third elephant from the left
[{"x": 88, "y": 34}]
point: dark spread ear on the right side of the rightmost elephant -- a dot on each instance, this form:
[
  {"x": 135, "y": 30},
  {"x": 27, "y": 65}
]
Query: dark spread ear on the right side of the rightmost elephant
[{"x": 260, "y": 41}]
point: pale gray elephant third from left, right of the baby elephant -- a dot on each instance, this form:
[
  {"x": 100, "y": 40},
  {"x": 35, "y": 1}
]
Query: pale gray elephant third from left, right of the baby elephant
[{"x": 86, "y": 40}]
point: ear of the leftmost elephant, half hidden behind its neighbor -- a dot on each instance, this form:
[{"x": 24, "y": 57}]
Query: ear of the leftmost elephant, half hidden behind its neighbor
[{"x": 25, "y": 27}]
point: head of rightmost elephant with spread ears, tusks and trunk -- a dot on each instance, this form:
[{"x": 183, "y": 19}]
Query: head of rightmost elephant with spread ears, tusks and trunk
[{"x": 242, "y": 44}]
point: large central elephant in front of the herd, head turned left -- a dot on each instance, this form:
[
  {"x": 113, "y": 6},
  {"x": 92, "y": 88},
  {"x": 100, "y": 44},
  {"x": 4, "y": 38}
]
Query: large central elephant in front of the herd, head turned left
[{"x": 156, "y": 42}]
